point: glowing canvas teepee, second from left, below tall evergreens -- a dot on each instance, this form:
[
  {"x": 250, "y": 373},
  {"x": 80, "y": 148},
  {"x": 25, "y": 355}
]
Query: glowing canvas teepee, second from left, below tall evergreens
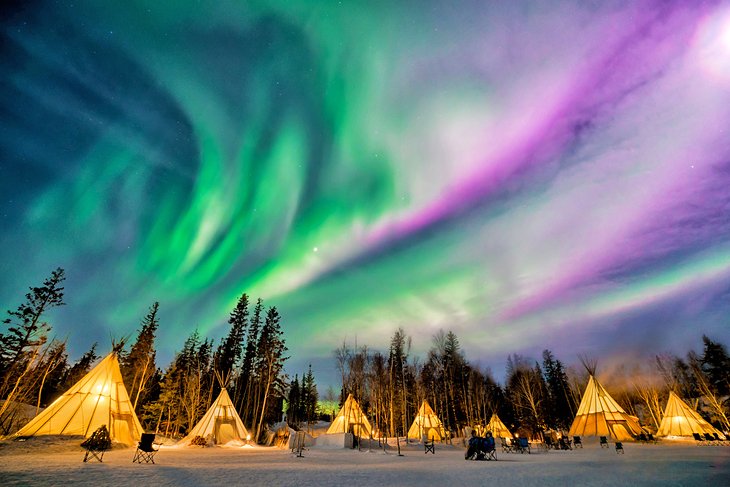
[{"x": 220, "y": 423}]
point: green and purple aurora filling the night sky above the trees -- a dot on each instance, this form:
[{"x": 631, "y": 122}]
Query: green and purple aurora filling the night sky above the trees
[{"x": 527, "y": 174}]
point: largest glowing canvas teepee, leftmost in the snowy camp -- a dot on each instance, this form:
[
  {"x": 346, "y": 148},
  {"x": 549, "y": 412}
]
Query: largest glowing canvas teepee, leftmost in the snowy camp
[{"x": 99, "y": 398}]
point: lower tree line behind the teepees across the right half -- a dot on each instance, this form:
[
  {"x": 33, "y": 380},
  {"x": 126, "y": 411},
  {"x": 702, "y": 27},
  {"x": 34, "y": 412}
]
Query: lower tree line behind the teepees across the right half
[{"x": 536, "y": 395}]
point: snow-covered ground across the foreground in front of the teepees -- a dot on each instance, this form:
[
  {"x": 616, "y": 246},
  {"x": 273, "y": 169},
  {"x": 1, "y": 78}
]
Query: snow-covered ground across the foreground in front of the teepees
[{"x": 59, "y": 462}]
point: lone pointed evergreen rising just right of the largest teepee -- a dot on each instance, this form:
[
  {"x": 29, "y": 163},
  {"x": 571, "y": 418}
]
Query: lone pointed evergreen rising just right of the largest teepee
[{"x": 138, "y": 366}]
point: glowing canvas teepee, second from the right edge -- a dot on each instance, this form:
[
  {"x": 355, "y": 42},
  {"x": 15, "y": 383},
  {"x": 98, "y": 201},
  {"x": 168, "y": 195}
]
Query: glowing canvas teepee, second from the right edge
[{"x": 600, "y": 415}]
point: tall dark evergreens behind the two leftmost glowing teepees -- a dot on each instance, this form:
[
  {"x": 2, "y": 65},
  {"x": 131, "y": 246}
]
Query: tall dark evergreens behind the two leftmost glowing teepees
[{"x": 249, "y": 361}]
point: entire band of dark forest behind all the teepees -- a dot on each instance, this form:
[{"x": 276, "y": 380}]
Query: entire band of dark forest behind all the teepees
[{"x": 249, "y": 360}]
